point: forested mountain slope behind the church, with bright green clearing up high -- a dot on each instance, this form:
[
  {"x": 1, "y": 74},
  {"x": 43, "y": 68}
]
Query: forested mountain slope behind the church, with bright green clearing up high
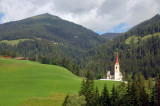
[{"x": 139, "y": 51}]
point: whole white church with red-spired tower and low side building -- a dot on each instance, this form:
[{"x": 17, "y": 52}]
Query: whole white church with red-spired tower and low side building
[{"x": 117, "y": 74}]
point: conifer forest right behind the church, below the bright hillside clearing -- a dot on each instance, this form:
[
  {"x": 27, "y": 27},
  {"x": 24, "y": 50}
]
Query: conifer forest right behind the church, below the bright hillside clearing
[{"x": 140, "y": 57}]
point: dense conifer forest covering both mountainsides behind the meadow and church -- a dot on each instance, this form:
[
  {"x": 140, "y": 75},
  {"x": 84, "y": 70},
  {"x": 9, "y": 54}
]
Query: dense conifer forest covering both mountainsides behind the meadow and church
[{"x": 53, "y": 40}]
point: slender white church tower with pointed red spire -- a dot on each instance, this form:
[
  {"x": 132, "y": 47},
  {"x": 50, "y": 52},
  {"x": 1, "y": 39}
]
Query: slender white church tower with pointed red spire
[{"x": 116, "y": 69}]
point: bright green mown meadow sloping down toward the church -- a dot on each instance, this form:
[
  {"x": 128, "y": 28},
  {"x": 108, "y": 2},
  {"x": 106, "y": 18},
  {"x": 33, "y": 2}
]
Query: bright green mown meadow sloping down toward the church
[{"x": 30, "y": 83}]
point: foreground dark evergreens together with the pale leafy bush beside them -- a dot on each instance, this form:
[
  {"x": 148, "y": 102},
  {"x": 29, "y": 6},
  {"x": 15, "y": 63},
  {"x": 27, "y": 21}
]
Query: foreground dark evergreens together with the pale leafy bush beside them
[{"x": 137, "y": 92}]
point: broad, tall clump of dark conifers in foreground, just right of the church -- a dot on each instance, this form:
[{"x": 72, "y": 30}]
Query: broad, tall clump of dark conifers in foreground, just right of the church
[{"x": 136, "y": 94}]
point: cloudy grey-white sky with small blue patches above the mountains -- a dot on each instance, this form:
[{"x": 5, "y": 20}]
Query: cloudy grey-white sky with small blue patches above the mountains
[{"x": 99, "y": 15}]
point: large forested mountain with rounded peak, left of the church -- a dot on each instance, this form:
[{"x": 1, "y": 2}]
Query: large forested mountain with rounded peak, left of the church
[{"x": 47, "y": 35}]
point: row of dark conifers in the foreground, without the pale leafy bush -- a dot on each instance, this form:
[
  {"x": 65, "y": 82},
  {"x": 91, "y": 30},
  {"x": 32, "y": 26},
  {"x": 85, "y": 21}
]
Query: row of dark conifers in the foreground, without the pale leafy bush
[{"x": 134, "y": 93}]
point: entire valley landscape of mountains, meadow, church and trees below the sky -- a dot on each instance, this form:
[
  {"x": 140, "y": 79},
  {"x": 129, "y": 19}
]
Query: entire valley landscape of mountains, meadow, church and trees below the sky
[{"x": 68, "y": 60}]
